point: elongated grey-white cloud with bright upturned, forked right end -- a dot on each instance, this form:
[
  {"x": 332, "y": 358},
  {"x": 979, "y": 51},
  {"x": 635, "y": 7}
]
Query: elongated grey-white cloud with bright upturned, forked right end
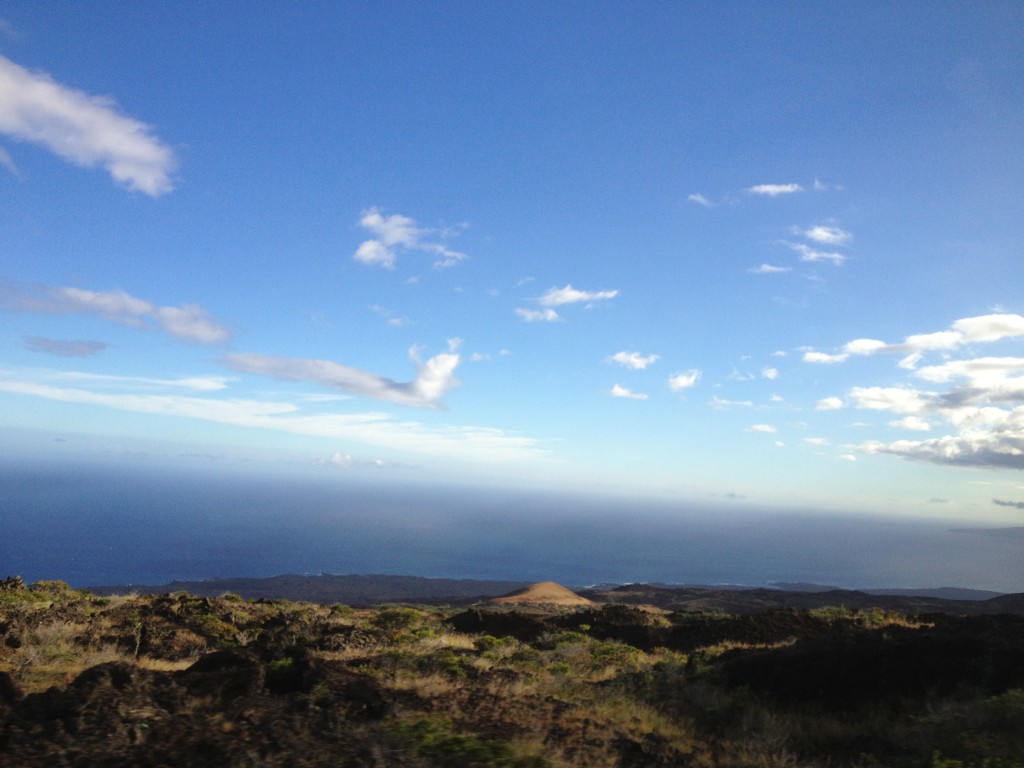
[{"x": 436, "y": 377}]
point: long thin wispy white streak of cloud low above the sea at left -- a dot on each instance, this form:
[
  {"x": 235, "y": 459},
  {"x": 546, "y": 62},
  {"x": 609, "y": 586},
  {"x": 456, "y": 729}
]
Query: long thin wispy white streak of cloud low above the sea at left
[{"x": 467, "y": 443}]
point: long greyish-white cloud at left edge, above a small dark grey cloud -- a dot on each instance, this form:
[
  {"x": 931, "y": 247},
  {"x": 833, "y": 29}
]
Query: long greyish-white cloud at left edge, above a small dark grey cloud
[{"x": 189, "y": 323}]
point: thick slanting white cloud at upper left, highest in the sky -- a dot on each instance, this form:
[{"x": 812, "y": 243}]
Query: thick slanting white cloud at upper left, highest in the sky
[{"x": 82, "y": 130}]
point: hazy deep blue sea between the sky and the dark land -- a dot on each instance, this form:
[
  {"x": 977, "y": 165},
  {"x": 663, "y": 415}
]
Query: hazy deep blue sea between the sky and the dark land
[{"x": 95, "y": 526}]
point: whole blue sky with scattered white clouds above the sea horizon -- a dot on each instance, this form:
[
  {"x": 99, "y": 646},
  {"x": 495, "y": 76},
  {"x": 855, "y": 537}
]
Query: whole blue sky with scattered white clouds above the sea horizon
[{"x": 763, "y": 254}]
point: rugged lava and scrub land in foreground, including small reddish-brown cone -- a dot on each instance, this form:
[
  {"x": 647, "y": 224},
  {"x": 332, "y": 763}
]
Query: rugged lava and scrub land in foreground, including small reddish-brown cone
[{"x": 183, "y": 680}]
